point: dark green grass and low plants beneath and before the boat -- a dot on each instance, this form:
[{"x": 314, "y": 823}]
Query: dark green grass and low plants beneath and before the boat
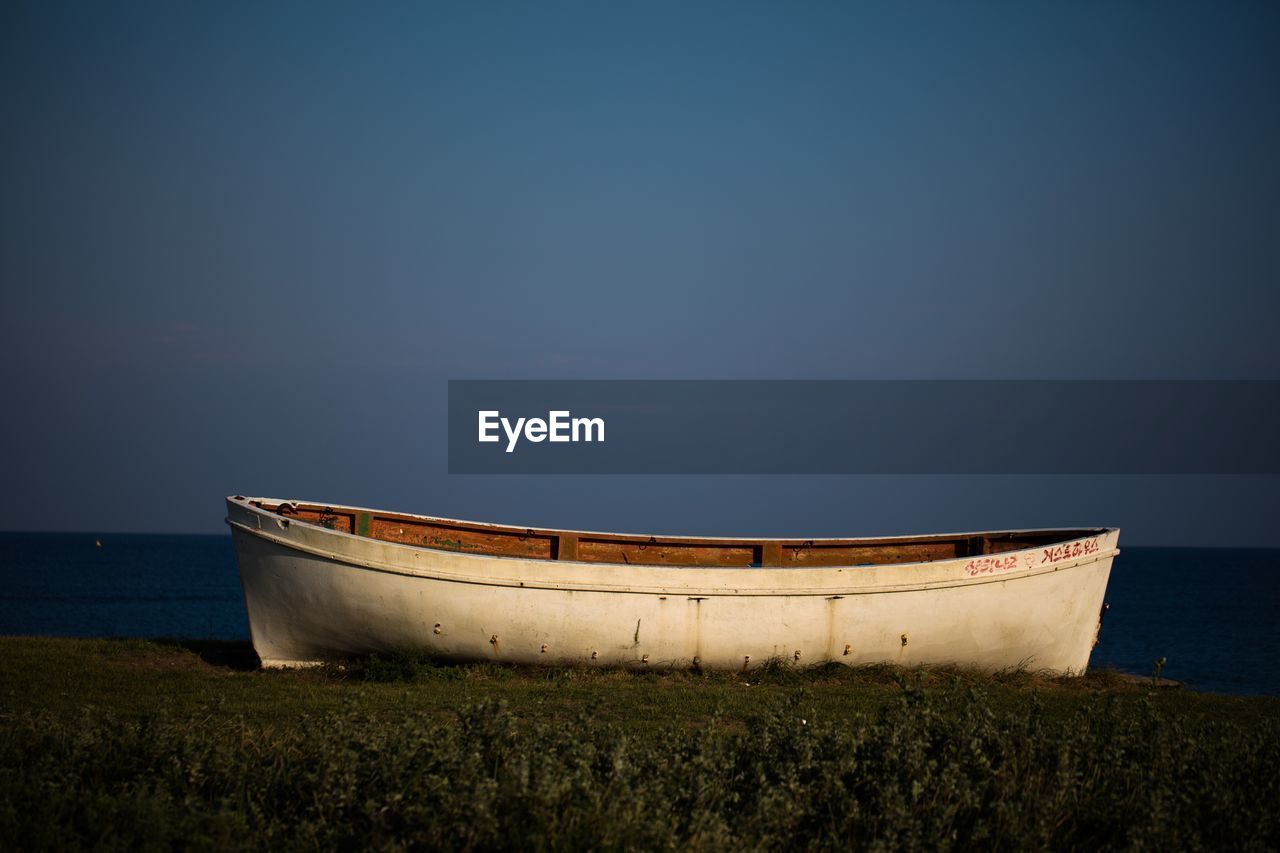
[{"x": 120, "y": 745}]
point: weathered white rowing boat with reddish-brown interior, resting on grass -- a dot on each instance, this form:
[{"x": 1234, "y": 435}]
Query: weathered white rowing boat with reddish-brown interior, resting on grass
[{"x": 324, "y": 582}]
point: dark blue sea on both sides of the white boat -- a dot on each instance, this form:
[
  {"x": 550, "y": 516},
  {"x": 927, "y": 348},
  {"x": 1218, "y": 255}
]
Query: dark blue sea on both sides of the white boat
[{"x": 1212, "y": 612}]
